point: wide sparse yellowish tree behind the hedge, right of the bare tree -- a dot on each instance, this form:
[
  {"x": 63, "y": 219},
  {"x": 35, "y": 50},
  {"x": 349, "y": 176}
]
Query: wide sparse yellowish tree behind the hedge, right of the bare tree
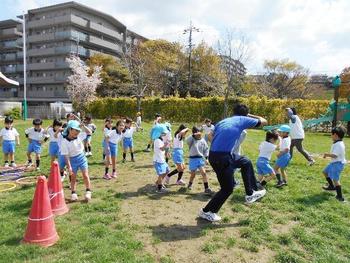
[{"x": 283, "y": 79}]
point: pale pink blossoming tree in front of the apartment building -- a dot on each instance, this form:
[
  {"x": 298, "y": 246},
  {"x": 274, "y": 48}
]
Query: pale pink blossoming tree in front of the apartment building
[{"x": 82, "y": 83}]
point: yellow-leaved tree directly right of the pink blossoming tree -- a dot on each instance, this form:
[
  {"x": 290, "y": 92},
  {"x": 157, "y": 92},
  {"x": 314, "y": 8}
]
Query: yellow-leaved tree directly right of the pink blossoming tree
[{"x": 116, "y": 79}]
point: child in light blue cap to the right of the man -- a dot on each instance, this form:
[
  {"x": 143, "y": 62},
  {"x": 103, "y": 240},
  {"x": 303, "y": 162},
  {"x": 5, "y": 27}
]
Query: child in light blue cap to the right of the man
[{"x": 283, "y": 155}]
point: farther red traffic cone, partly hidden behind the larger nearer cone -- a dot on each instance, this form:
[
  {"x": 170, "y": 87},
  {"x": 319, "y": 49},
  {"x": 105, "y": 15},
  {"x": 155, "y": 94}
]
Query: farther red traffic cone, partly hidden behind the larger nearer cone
[{"x": 58, "y": 204}]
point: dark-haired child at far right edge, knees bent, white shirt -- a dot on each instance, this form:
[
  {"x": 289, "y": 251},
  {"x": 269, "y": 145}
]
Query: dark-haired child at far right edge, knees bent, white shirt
[{"x": 336, "y": 166}]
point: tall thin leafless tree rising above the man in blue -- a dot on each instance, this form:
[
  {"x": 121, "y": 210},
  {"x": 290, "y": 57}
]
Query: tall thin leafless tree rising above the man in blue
[{"x": 234, "y": 52}]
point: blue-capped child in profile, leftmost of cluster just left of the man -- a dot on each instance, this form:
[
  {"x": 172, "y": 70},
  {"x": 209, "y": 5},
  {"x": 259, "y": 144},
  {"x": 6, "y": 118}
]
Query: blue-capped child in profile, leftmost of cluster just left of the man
[{"x": 160, "y": 165}]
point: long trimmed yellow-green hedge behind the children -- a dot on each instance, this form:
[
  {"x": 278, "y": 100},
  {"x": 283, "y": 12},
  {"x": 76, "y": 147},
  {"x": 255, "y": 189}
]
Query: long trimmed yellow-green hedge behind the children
[{"x": 195, "y": 110}]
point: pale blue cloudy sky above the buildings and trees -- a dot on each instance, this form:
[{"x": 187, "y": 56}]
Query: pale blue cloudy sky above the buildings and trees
[{"x": 314, "y": 33}]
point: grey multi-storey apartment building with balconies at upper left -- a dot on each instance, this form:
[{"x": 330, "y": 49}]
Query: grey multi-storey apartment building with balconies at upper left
[{"x": 54, "y": 33}]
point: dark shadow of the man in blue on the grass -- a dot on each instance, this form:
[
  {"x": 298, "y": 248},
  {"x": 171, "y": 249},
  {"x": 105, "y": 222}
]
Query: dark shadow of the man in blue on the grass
[{"x": 178, "y": 232}]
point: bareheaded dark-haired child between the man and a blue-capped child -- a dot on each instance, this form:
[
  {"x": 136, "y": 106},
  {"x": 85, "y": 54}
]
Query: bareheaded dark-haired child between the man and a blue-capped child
[{"x": 266, "y": 148}]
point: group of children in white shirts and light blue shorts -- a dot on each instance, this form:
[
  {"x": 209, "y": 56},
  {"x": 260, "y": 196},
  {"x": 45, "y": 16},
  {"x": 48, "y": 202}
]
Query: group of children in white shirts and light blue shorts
[{"x": 70, "y": 144}]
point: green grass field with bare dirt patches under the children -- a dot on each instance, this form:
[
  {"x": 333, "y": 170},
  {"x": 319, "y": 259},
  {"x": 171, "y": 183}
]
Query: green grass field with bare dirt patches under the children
[{"x": 128, "y": 222}]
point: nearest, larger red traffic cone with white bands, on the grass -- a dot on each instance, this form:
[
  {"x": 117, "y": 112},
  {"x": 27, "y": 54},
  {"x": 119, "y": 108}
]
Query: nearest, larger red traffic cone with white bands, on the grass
[{"x": 41, "y": 228}]
